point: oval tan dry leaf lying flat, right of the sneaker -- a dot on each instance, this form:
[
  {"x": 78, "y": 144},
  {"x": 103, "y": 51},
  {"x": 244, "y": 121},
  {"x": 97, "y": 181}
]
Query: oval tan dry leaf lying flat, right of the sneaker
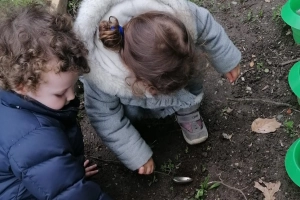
[{"x": 260, "y": 125}]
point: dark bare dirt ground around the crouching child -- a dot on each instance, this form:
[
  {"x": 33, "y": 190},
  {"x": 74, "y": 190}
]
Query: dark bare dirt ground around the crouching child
[{"x": 258, "y": 31}]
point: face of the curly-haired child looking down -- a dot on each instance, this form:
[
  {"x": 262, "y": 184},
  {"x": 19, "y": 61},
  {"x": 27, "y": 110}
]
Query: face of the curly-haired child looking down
[{"x": 56, "y": 89}]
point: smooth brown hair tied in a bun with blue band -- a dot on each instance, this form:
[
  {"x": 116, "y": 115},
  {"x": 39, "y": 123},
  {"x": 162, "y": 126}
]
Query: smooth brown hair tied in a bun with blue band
[{"x": 157, "y": 48}]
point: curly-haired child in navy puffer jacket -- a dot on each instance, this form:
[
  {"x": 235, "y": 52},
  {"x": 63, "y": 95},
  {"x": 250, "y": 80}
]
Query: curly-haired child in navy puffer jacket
[{"x": 41, "y": 143}]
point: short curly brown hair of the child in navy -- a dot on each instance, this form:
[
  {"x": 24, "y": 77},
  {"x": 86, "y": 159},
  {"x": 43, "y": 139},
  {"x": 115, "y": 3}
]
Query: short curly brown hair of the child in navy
[{"x": 30, "y": 38}]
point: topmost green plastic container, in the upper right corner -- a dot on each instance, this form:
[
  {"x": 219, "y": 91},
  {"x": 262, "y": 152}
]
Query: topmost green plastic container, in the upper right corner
[{"x": 290, "y": 13}]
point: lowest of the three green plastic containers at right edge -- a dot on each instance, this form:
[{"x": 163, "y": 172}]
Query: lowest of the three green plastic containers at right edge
[{"x": 292, "y": 162}]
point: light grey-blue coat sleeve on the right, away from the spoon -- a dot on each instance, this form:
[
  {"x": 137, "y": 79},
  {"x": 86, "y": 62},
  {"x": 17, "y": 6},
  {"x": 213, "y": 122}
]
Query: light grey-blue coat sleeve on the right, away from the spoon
[{"x": 222, "y": 53}]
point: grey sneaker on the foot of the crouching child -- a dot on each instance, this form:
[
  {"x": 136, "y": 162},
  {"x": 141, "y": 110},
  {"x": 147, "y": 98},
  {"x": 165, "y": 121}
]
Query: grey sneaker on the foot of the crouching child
[{"x": 193, "y": 128}]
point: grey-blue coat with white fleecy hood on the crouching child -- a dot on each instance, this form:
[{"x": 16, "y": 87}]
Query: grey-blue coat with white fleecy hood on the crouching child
[{"x": 109, "y": 99}]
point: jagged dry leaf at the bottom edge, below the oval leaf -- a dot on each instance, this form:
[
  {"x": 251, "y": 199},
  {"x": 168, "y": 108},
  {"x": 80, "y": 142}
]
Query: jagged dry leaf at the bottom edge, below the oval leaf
[{"x": 269, "y": 189}]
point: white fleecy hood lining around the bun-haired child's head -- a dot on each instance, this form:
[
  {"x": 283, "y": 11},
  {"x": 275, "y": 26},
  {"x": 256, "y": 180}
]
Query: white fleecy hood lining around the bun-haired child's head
[{"x": 107, "y": 70}]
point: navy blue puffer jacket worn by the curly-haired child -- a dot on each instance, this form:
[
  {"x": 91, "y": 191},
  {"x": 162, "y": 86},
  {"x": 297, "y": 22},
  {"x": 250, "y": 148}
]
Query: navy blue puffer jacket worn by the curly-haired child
[{"x": 41, "y": 152}]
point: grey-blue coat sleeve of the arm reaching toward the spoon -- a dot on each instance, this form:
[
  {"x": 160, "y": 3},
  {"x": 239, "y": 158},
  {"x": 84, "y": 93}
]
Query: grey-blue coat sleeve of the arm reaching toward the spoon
[{"x": 106, "y": 114}]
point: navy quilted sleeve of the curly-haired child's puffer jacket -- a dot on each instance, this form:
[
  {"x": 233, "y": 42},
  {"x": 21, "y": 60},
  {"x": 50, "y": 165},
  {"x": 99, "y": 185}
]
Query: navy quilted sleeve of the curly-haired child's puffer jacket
[{"x": 44, "y": 162}]
